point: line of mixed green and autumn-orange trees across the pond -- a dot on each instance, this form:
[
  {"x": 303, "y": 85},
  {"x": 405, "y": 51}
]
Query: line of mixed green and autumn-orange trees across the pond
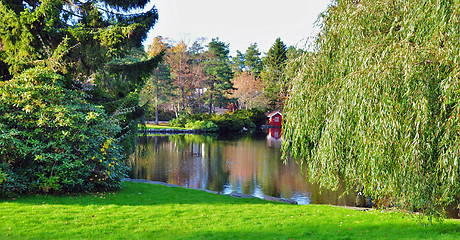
[{"x": 197, "y": 78}]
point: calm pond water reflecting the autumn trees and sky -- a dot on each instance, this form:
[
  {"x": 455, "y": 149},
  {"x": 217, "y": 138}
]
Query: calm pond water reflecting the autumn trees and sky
[{"x": 249, "y": 164}]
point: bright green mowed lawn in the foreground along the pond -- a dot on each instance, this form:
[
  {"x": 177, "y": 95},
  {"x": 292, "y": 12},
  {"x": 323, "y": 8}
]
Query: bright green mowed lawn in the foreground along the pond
[{"x": 145, "y": 211}]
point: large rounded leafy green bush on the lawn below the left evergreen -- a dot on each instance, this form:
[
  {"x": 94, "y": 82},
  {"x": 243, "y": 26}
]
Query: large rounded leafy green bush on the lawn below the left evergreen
[{"x": 52, "y": 140}]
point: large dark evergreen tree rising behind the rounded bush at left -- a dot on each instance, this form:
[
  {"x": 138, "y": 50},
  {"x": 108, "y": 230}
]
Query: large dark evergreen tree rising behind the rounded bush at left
[{"x": 103, "y": 55}]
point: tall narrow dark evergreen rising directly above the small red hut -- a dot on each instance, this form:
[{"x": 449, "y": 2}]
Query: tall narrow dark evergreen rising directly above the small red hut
[{"x": 274, "y": 64}]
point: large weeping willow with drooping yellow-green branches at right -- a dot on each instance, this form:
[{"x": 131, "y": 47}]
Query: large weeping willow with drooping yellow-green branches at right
[{"x": 376, "y": 107}]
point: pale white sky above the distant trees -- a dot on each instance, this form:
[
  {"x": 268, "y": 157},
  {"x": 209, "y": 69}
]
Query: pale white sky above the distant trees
[{"x": 238, "y": 22}]
